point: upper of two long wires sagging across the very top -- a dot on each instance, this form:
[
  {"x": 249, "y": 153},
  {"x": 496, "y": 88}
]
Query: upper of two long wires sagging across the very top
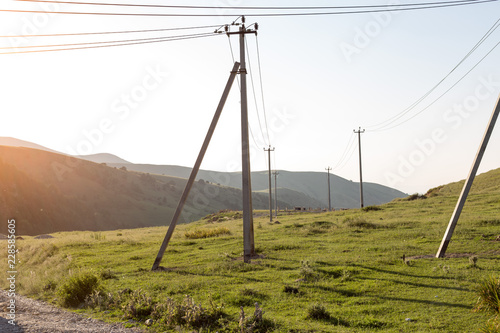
[{"x": 250, "y": 7}]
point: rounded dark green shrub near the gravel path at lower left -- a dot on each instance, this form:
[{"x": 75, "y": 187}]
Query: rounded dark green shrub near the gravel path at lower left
[{"x": 76, "y": 288}]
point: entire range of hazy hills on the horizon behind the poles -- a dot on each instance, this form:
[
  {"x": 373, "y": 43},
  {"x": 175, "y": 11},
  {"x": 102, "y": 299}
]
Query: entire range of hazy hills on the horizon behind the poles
[{"x": 49, "y": 191}]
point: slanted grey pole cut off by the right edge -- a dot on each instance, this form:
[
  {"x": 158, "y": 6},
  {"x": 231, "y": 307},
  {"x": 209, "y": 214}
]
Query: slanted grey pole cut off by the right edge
[{"x": 468, "y": 183}]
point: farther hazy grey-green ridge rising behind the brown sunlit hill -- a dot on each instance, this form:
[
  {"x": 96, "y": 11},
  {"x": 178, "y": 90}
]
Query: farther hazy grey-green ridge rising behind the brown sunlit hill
[{"x": 345, "y": 193}]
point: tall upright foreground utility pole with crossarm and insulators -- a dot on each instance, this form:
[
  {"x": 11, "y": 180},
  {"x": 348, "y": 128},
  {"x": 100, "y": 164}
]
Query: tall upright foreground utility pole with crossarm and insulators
[{"x": 248, "y": 236}]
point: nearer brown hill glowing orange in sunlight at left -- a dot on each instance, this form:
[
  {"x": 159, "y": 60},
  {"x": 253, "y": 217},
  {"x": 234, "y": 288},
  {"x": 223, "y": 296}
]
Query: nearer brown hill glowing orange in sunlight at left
[{"x": 48, "y": 192}]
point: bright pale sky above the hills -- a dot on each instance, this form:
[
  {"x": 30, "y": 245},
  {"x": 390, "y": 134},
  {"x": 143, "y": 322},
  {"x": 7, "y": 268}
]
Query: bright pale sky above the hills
[{"x": 323, "y": 77}]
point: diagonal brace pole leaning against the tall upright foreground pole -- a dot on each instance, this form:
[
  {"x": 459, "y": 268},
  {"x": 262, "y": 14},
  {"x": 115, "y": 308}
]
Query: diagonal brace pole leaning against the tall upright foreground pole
[{"x": 196, "y": 167}]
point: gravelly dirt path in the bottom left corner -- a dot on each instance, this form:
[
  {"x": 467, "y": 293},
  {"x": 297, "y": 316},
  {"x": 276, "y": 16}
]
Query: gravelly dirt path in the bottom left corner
[{"x": 39, "y": 317}]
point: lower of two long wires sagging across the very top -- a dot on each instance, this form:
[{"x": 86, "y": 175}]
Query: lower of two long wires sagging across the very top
[{"x": 386, "y": 9}]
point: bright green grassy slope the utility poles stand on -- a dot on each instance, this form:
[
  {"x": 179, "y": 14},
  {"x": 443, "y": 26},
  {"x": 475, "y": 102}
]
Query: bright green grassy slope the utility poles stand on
[{"x": 325, "y": 272}]
